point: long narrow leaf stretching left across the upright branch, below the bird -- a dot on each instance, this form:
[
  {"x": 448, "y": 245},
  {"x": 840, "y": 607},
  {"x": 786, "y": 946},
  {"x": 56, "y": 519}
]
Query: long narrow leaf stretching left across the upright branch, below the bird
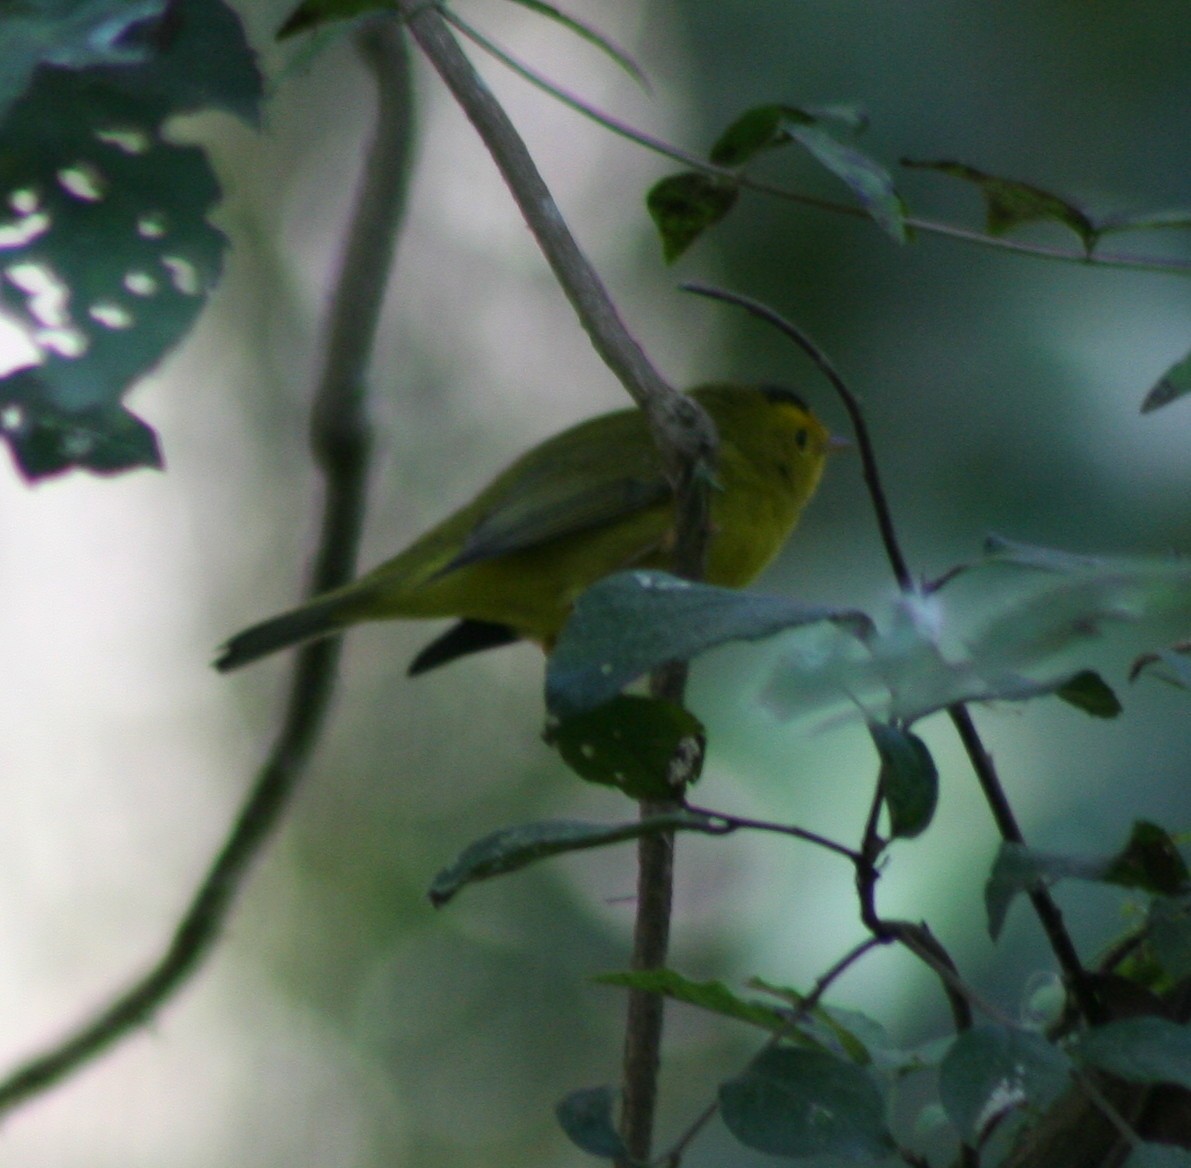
[{"x": 515, "y": 848}]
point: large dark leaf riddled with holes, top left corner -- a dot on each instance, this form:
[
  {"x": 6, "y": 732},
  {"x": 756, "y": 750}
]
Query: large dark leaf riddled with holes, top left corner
[{"x": 113, "y": 254}]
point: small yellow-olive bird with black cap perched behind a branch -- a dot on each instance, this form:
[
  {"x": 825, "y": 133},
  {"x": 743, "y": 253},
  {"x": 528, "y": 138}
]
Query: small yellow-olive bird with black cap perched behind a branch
[{"x": 589, "y": 502}]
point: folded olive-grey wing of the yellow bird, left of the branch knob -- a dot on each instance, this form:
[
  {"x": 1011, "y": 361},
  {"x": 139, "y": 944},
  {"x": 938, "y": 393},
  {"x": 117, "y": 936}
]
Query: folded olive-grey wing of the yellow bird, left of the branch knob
[{"x": 564, "y": 488}]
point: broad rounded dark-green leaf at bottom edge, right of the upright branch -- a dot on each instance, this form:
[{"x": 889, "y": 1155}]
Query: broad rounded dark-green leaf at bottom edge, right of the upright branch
[{"x": 801, "y": 1103}]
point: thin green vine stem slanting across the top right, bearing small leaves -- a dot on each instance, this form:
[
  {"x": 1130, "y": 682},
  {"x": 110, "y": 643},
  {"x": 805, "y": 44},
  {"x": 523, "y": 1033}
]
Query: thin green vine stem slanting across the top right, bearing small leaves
[{"x": 677, "y": 154}]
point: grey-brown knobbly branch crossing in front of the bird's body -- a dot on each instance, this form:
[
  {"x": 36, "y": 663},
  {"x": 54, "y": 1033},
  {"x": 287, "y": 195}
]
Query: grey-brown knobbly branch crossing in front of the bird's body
[{"x": 687, "y": 441}]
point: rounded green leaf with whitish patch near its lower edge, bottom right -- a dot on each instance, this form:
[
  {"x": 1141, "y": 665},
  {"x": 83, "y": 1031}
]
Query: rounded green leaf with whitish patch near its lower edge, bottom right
[{"x": 994, "y": 1070}]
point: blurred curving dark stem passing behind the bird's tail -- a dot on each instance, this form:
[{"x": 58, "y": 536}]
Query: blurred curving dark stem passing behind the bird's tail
[{"x": 341, "y": 446}]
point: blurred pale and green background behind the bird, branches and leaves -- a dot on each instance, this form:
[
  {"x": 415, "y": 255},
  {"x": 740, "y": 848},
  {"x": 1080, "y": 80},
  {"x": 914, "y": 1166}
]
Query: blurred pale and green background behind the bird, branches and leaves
[{"x": 342, "y": 1021}]
